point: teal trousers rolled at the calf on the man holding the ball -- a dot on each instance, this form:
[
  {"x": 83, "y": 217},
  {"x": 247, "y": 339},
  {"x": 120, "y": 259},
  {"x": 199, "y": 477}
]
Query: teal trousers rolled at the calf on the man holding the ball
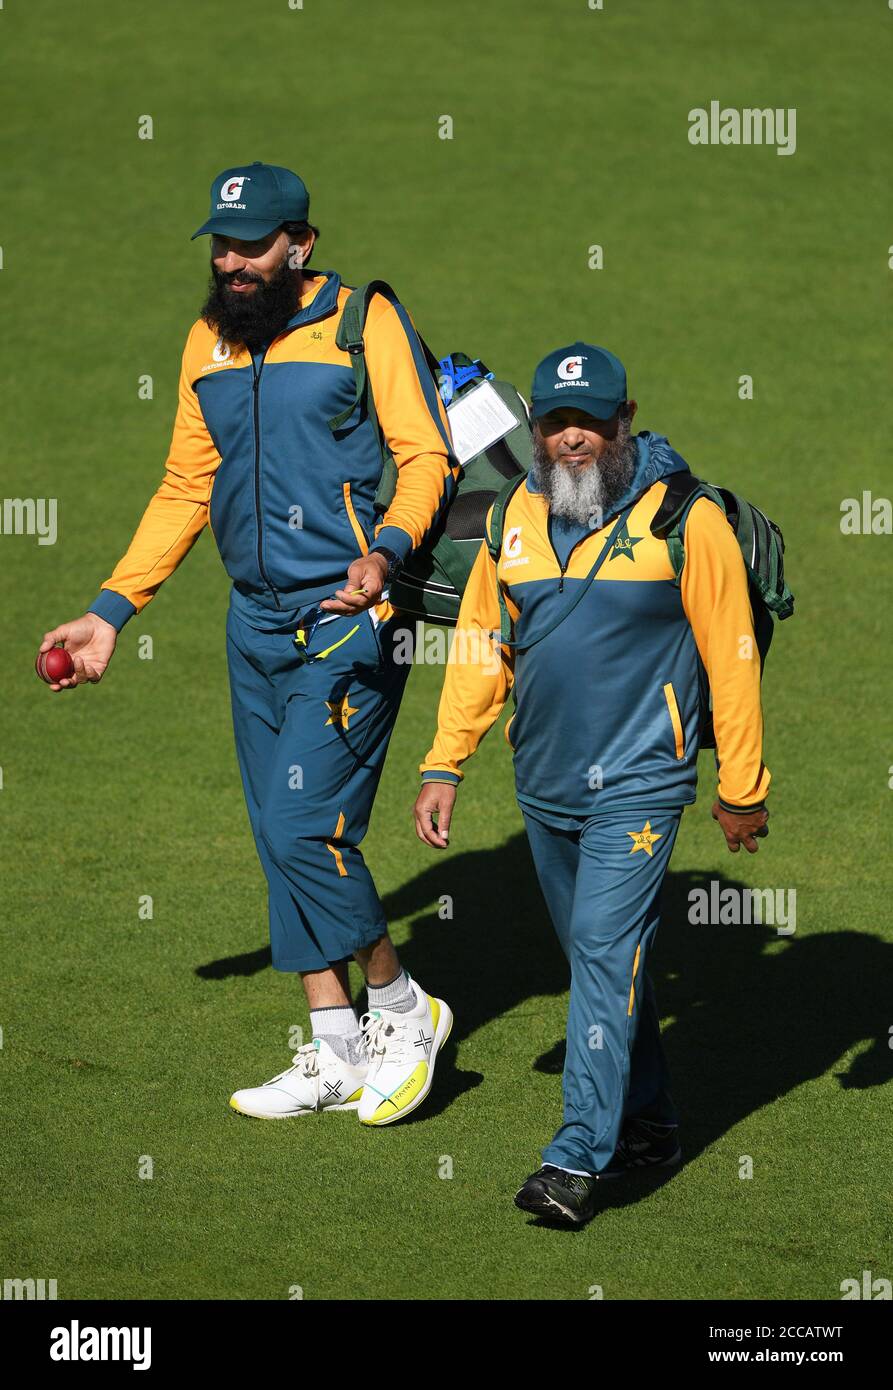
[{"x": 311, "y": 742}]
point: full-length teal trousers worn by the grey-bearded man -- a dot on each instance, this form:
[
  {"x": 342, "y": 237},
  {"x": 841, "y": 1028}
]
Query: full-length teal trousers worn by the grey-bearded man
[{"x": 602, "y": 882}]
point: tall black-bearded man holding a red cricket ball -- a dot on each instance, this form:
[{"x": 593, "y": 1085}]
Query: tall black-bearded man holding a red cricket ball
[{"x": 277, "y": 450}]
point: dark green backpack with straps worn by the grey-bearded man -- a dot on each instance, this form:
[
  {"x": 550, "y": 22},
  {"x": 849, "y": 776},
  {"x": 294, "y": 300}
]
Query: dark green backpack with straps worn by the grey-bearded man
[{"x": 760, "y": 540}]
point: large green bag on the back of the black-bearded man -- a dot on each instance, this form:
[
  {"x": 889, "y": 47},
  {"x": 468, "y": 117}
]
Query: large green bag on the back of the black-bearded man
[{"x": 432, "y": 583}]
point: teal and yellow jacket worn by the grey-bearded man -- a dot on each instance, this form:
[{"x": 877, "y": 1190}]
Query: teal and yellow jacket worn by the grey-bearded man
[{"x": 609, "y": 704}]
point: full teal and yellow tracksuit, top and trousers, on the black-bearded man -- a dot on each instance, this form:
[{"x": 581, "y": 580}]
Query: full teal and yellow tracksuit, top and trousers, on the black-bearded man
[{"x": 290, "y": 505}]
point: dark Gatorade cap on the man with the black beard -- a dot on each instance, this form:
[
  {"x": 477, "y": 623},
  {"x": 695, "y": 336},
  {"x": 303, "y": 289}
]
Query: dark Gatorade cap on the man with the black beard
[{"x": 254, "y": 199}]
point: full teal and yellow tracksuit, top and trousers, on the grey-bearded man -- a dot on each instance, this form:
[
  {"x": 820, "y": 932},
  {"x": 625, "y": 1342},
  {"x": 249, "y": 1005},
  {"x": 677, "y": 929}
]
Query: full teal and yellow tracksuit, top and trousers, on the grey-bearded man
[{"x": 606, "y": 742}]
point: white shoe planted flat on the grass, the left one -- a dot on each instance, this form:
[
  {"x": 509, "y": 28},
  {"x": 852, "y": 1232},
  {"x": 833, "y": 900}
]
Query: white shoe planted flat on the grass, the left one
[{"x": 318, "y": 1081}]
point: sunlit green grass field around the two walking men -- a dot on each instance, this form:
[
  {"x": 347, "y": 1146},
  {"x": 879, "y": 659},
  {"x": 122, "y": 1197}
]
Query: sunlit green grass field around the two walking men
[{"x": 124, "y": 1038}]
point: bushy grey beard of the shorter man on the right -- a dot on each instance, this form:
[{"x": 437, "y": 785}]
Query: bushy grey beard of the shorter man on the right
[{"x": 590, "y": 494}]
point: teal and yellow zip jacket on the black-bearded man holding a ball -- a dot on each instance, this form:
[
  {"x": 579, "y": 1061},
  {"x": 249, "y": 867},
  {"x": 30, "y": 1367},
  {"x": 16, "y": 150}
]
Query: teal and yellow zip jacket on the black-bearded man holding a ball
[{"x": 290, "y": 504}]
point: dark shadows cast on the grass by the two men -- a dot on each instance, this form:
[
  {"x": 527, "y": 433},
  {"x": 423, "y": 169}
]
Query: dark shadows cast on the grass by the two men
[{"x": 748, "y": 1024}]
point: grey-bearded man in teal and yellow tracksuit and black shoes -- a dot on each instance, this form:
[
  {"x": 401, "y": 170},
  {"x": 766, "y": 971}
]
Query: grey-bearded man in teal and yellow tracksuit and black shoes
[{"x": 602, "y": 655}]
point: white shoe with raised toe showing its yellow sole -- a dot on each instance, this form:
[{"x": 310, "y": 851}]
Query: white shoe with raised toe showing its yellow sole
[{"x": 401, "y": 1050}]
